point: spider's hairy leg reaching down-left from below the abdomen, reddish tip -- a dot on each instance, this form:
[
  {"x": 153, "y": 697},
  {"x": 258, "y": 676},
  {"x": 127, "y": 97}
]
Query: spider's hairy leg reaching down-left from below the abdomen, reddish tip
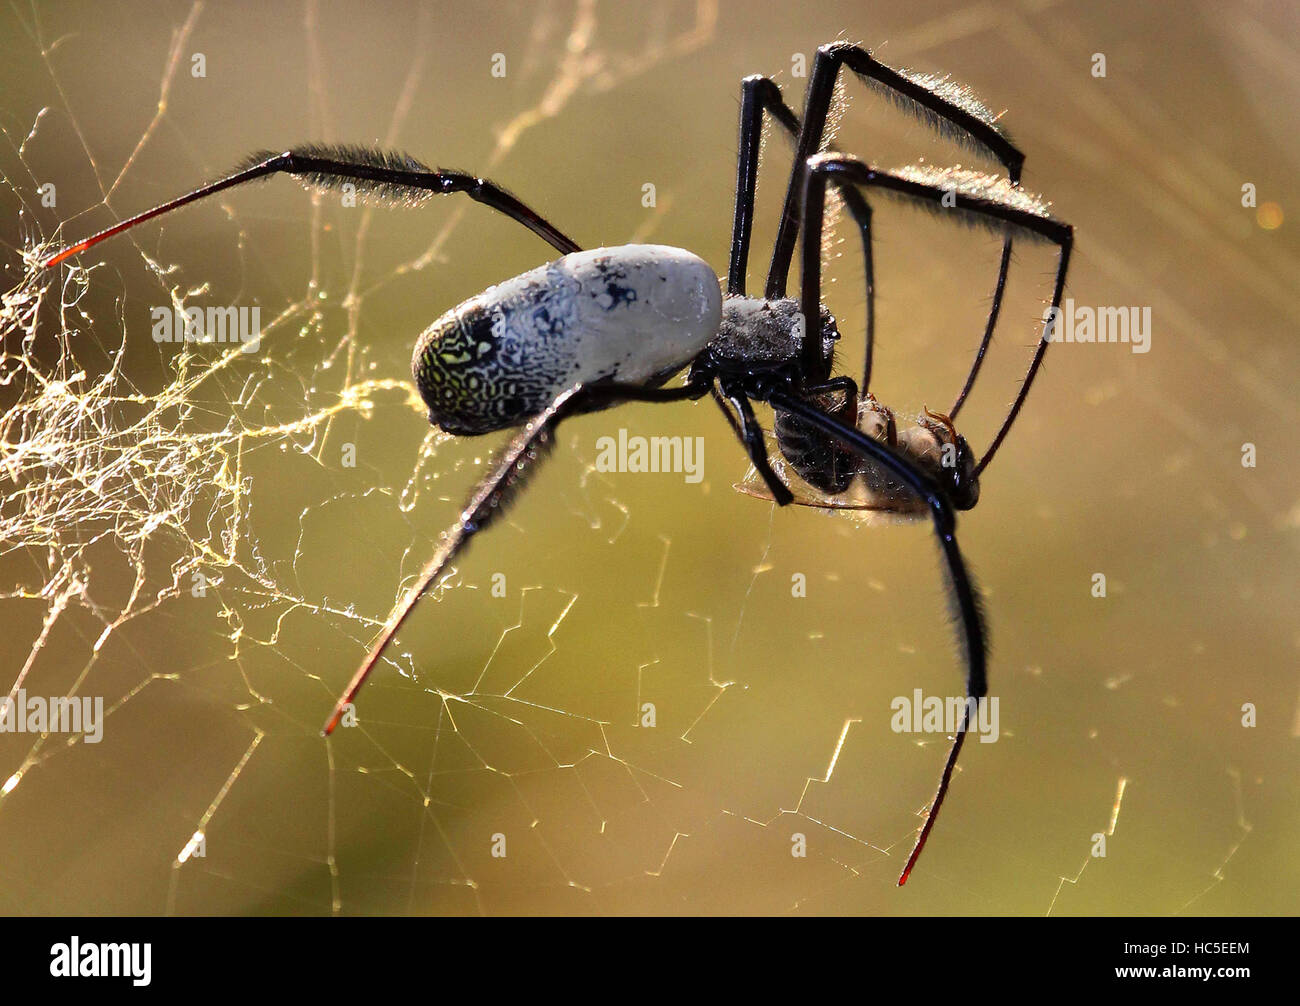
[{"x": 493, "y": 495}]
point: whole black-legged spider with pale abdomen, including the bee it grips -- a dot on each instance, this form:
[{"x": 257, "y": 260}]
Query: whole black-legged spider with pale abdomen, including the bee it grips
[{"x": 600, "y": 328}]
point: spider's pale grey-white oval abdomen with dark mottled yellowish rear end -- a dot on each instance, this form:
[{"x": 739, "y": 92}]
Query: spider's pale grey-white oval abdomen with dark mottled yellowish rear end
[{"x": 632, "y": 314}]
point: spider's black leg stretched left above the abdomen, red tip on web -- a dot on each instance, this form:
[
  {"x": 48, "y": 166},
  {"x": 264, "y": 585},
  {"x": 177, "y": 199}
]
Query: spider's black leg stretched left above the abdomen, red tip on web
[{"x": 389, "y": 177}]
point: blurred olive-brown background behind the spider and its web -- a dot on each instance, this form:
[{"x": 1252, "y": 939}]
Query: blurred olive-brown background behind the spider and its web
[{"x": 518, "y": 716}]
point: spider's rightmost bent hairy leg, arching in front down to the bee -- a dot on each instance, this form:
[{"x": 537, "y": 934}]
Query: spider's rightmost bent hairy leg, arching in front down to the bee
[{"x": 994, "y": 210}]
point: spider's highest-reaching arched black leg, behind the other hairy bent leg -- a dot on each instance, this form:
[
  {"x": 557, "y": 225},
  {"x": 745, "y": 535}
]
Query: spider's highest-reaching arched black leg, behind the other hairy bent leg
[{"x": 943, "y": 109}]
